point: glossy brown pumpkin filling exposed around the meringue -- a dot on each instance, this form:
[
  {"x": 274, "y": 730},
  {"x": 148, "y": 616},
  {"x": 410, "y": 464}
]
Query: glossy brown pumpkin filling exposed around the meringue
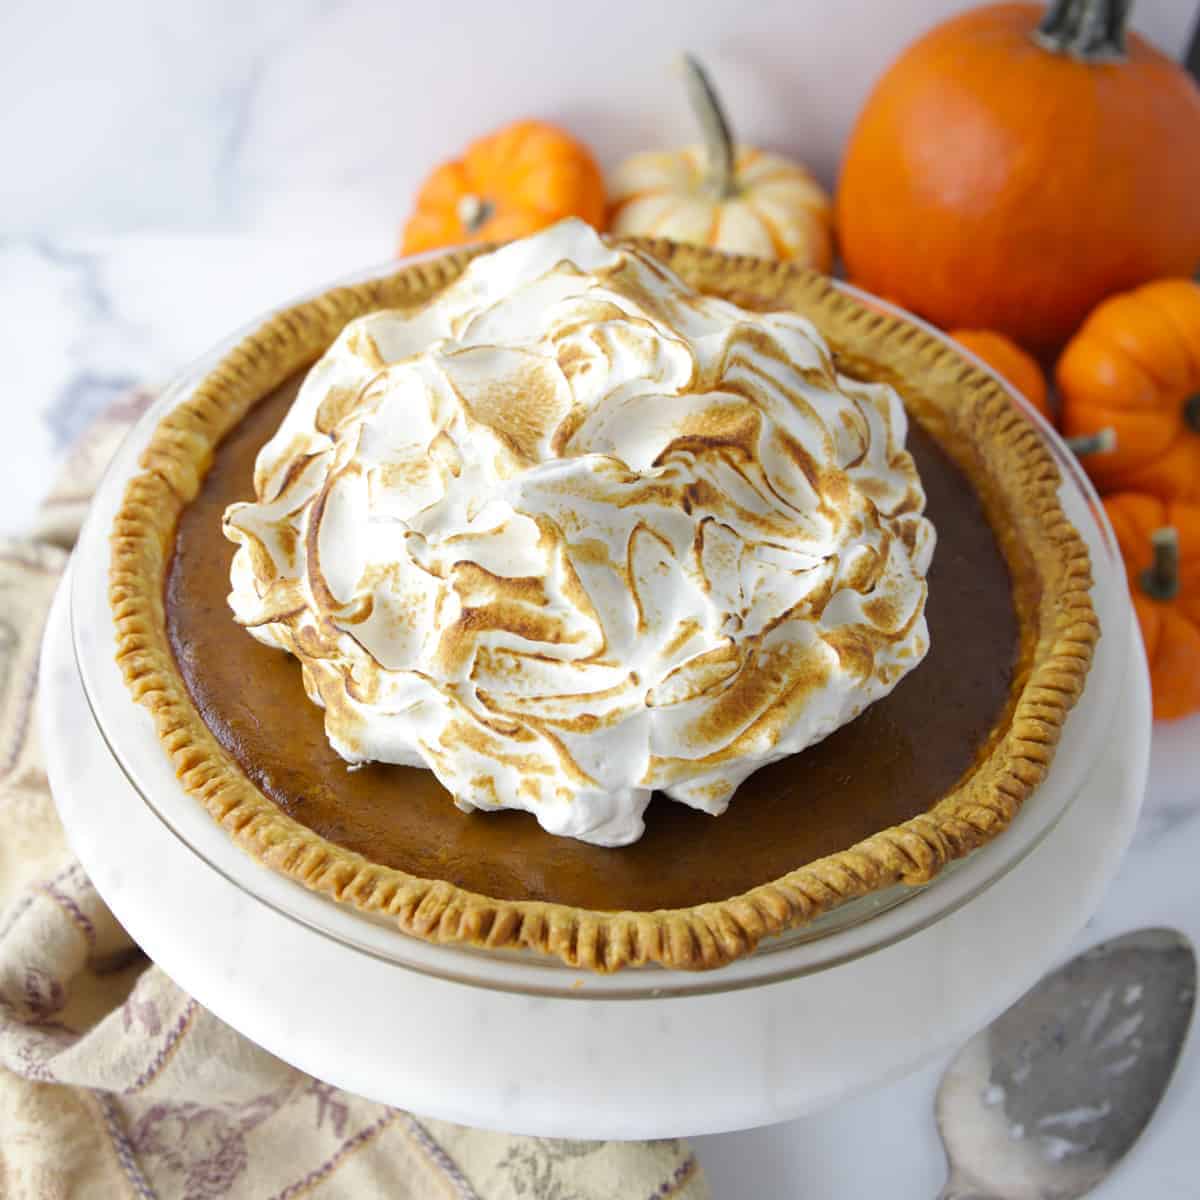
[{"x": 896, "y": 761}]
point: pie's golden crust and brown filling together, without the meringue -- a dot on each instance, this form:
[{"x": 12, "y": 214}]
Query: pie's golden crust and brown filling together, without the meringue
[{"x": 923, "y": 777}]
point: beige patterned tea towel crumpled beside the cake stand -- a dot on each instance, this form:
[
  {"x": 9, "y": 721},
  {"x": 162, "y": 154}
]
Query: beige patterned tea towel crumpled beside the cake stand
[{"x": 115, "y": 1083}]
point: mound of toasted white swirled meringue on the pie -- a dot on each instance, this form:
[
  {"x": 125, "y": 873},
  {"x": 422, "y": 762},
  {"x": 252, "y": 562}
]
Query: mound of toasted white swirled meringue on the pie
[{"x": 574, "y": 532}]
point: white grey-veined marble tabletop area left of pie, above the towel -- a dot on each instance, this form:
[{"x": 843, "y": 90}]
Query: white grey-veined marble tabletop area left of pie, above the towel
[{"x": 85, "y": 319}]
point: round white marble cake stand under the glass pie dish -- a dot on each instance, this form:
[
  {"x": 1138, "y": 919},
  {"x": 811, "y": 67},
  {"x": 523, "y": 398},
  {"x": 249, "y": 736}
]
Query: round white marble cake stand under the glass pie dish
[{"x": 583, "y": 1067}]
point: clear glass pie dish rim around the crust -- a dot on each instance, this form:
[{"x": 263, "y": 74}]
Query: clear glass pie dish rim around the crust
[{"x": 849, "y": 932}]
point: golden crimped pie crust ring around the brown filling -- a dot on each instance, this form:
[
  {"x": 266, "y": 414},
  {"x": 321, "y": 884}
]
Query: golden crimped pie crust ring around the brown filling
[{"x": 965, "y": 410}]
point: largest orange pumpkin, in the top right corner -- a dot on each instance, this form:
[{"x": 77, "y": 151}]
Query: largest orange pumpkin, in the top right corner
[{"x": 1015, "y": 167}]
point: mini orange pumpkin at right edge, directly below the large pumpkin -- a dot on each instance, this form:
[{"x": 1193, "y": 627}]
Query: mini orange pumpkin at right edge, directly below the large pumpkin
[{"x": 1135, "y": 368}]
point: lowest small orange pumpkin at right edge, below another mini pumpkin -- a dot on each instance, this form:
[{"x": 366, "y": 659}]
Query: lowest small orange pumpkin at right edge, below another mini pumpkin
[{"x": 1161, "y": 547}]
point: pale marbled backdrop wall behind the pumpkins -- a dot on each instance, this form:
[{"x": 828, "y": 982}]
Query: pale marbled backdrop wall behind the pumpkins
[{"x": 316, "y": 116}]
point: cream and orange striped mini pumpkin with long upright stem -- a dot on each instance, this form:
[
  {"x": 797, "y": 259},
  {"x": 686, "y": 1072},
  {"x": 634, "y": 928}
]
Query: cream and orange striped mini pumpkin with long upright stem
[{"x": 722, "y": 195}]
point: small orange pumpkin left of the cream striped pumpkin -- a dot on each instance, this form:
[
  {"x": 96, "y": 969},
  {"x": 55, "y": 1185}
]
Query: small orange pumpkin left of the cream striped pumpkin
[{"x": 512, "y": 183}]
